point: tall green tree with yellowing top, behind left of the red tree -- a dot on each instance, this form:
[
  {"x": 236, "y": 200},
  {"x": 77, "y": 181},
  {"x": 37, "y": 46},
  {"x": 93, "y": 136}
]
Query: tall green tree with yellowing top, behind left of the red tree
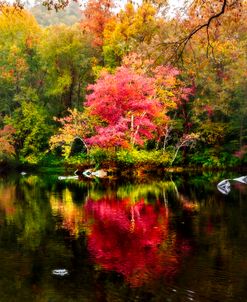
[{"x": 66, "y": 57}]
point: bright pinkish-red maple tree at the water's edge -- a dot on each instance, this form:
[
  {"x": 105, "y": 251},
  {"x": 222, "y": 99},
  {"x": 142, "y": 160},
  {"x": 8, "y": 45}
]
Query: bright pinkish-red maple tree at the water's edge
[{"x": 126, "y": 104}]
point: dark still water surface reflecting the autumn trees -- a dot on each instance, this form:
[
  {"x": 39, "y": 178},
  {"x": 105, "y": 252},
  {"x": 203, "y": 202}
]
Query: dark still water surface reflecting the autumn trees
[{"x": 170, "y": 239}]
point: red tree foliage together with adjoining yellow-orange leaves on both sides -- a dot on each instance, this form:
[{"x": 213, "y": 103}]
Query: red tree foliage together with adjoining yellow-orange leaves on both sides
[{"x": 126, "y": 108}]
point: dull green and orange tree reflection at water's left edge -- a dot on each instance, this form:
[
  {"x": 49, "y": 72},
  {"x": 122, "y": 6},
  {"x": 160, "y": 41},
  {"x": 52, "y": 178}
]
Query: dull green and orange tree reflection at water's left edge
[{"x": 20, "y": 200}]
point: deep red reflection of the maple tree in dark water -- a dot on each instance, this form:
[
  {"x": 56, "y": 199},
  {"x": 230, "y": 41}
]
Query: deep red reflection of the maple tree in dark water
[{"x": 133, "y": 239}]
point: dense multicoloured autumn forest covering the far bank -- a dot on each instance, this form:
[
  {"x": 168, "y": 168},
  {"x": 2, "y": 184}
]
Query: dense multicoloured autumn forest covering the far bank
[{"x": 130, "y": 87}]
